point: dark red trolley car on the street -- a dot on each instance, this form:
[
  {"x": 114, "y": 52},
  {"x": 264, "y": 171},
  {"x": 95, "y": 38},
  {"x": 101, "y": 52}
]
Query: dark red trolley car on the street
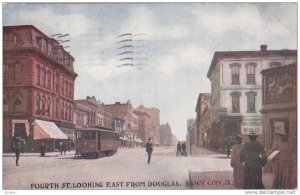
[{"x": 96, "y": 142}]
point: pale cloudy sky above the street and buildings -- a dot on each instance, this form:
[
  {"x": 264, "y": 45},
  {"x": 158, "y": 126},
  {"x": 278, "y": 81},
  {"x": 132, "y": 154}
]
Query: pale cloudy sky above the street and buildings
[{"x": 178, "y": 44}]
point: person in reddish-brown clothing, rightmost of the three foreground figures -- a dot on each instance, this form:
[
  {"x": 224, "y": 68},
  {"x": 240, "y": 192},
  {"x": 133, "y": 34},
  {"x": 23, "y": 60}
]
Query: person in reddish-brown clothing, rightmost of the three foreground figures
[{"x": 285, "y": 164}]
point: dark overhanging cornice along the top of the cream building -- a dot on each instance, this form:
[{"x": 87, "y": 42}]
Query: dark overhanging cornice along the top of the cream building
[{"x": 228, "y": 54}]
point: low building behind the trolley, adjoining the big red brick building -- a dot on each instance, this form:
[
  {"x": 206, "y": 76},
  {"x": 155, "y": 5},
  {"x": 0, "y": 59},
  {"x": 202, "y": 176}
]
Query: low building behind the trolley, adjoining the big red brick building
[{"x": 90, "y": 112}]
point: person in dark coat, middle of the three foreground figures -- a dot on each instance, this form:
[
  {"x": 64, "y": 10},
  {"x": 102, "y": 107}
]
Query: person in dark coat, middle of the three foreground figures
[{"x": 254, "y": 158}]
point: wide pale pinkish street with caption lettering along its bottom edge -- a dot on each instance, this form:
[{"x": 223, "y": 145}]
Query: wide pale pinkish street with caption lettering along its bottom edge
[{"x": 125, "y": 170}]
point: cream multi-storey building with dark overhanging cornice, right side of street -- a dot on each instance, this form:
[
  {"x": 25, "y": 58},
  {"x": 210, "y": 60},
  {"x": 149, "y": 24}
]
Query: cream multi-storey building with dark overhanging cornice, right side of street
[{"x": 236, "y": 91}]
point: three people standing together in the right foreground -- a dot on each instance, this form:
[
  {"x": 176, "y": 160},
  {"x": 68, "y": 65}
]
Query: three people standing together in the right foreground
[{"x": 248, "y": 160}]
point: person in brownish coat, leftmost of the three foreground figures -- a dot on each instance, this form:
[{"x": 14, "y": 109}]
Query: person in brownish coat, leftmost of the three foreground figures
[{"x": 238, "y": 168}]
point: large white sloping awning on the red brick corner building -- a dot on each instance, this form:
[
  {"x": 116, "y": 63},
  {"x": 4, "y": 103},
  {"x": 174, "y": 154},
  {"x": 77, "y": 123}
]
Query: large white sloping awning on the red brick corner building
[{"x": 47, "y": 130}]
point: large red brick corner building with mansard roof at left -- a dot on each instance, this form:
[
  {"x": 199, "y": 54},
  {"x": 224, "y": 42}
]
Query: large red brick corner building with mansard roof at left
[{"x": 38, "y": 83}]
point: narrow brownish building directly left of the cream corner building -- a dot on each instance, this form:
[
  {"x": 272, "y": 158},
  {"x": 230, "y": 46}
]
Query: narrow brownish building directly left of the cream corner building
[{"x": 203, "y": 121}]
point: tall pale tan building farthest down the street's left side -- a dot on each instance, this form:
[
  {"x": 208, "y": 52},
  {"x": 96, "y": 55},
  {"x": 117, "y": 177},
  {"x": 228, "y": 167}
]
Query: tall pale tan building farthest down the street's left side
[{"x": 154, "y": 114}]
